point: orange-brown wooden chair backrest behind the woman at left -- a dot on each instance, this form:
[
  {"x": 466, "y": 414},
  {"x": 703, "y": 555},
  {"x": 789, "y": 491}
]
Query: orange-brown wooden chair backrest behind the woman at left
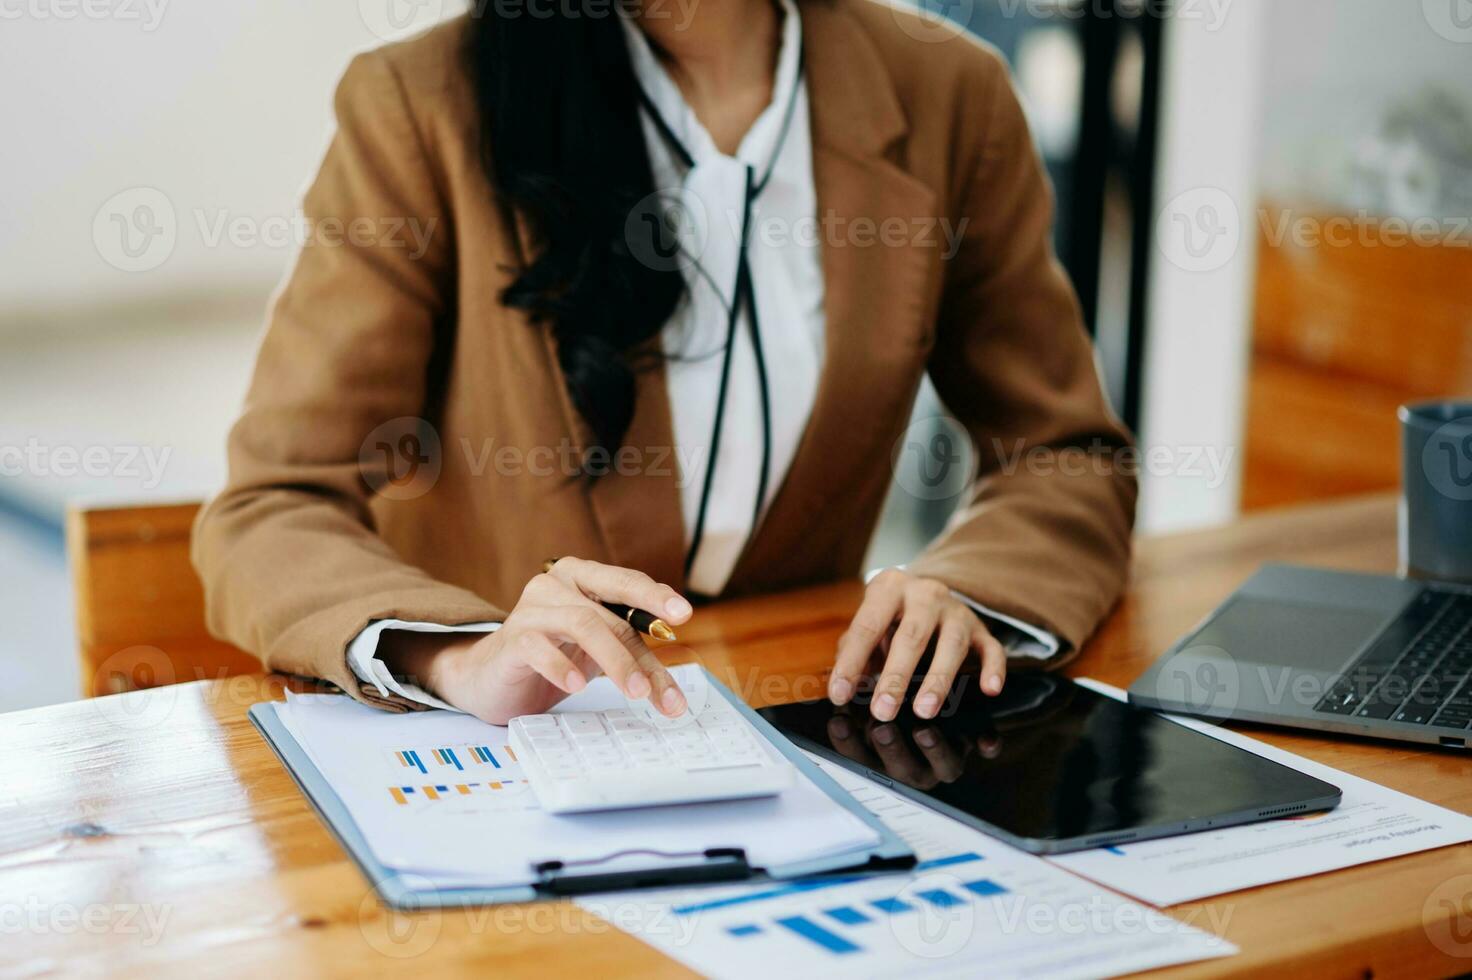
[{"x": 141, "y": 608}]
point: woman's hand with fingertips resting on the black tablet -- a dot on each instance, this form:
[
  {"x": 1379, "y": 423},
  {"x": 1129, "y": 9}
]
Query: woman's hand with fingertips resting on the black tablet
[{"x": 900, "y": 616}]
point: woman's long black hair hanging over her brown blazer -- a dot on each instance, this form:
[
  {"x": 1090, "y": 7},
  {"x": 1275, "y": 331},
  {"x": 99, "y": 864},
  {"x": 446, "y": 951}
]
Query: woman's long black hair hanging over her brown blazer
[{"x": 563, "y": 145}]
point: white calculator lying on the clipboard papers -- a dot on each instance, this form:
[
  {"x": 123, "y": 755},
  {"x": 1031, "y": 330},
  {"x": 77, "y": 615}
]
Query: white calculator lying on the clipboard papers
[{"x": 618, "y": 759}]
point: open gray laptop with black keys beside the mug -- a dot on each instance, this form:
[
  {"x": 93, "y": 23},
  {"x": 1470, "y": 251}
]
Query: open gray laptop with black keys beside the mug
[{"x": 1309, "y": 648}]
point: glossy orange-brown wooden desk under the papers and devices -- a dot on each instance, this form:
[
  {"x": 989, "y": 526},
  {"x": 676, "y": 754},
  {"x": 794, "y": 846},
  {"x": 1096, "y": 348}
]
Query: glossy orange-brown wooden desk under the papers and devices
[{"x": 166, "y": 807}]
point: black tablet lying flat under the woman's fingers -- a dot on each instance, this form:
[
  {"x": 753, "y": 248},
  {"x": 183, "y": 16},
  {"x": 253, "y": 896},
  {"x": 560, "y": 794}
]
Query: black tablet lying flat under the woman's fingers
[{"x": 1052, "y": 767}]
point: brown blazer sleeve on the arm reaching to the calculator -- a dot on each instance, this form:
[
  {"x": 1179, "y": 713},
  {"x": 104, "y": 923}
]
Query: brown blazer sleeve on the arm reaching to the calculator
[{"x": 288, "y": 553}]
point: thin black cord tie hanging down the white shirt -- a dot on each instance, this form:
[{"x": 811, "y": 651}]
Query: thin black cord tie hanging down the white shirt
[{"x": 744, "y": 295}]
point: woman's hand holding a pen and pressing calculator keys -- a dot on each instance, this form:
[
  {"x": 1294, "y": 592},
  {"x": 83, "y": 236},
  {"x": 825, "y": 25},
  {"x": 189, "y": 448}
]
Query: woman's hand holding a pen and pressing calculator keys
[{"x": 554, "y": 642}]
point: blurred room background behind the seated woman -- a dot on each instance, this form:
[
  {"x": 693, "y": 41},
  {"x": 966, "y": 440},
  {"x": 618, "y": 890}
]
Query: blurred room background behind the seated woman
[{"x": 157, "y": 151}]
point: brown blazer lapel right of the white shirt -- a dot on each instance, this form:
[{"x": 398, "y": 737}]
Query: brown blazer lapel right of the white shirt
[{"x": 877, "y": 299}]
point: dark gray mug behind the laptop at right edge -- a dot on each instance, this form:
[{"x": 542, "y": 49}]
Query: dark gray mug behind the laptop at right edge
[{"x": 1436, "y": 507}]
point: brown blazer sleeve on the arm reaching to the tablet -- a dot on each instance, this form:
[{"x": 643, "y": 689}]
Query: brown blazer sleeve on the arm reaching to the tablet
[{"x": 1046, "y": 532}]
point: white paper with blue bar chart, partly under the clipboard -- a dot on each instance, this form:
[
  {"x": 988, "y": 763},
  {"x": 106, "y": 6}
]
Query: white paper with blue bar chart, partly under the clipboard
[{"x": 975, "y": 907}]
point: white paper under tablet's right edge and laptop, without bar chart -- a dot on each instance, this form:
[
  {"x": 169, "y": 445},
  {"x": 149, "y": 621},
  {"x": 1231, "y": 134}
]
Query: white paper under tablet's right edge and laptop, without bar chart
[{"x": 1373, "y": 823}]
